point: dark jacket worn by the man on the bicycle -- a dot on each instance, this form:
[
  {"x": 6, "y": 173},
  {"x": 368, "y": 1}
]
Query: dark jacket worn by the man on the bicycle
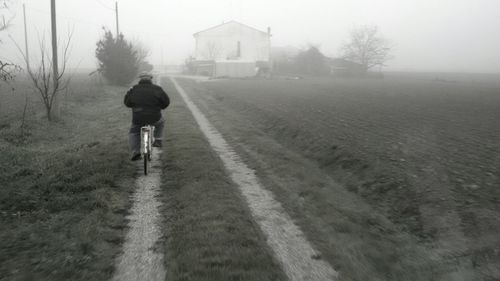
[{"x": 146, "y": 100}]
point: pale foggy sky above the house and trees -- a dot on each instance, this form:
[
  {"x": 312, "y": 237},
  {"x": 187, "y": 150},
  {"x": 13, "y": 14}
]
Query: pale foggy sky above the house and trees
[{"x": 439, "y": 35}]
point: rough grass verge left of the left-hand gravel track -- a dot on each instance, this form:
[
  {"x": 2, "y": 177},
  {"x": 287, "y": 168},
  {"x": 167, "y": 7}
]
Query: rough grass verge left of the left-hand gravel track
[{"x": 64, "y": 185}]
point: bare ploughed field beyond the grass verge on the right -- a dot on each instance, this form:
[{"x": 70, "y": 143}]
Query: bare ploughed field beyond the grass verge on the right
[{"x": 423, "y": 154}]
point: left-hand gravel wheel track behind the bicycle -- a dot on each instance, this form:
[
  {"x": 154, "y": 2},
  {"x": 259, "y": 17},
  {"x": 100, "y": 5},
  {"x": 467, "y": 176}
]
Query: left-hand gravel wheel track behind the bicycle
[{"x": 140, "y": 260}]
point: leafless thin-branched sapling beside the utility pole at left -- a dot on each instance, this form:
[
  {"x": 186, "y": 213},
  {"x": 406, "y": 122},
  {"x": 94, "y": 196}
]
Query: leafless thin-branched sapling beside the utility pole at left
[{"x": 41, "y": 75}]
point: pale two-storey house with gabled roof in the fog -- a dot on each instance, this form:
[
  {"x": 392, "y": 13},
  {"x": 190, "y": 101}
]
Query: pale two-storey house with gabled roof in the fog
[{"x": 232, "y": 49}]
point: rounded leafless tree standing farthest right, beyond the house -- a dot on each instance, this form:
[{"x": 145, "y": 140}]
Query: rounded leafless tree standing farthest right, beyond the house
[{"x": 367, "y": 47}]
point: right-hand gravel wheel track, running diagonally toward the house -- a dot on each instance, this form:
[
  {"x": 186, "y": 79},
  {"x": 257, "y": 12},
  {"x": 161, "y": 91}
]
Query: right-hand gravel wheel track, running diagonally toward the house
[{"x": 296, "y": 255}]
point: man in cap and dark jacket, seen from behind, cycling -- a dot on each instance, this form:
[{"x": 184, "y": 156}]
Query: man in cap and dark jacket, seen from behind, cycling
[{"x": 146, "y": 100}]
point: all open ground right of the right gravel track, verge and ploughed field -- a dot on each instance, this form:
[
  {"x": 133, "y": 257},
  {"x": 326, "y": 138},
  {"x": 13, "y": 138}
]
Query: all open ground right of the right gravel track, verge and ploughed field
[{"x": 421, "y": 152}]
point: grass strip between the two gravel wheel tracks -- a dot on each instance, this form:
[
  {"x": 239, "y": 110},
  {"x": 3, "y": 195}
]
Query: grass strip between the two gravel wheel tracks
[{"x": 209, "y": 233}]
